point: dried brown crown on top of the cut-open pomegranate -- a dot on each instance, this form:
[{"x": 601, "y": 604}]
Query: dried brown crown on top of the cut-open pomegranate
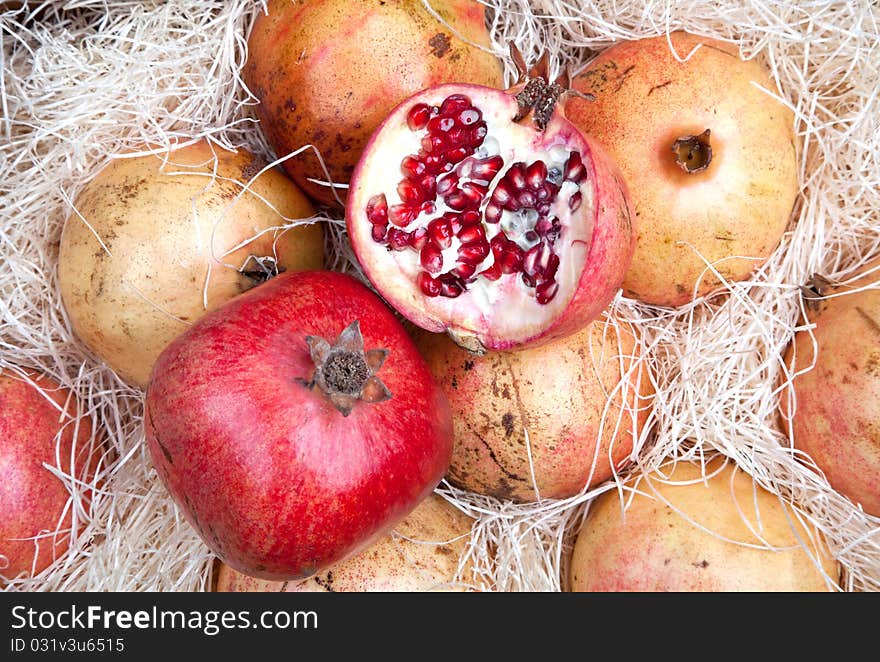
[{"x": 537, "y": 96}]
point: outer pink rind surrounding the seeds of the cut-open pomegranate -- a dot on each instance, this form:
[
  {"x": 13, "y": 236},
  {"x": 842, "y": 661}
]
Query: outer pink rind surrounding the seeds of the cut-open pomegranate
[{"x": 605, "y": 253}]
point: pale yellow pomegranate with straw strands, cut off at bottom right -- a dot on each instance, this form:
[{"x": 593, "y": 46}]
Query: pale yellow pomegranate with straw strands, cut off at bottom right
[{"x": 712, "y": 535}]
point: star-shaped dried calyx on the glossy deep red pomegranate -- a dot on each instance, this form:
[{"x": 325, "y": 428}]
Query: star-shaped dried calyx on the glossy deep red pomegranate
[{"x": 344, "y": 372}]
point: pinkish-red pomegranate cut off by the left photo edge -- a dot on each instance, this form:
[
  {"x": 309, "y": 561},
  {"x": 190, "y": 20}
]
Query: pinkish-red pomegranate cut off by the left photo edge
[{"x": 33, "y": 498}]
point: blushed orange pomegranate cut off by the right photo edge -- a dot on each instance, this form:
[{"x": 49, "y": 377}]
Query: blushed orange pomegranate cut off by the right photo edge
[{"x": 836, "y": 418}]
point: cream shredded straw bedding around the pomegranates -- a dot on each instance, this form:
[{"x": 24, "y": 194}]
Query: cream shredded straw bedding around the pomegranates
[{"x": 85, "y": 81}]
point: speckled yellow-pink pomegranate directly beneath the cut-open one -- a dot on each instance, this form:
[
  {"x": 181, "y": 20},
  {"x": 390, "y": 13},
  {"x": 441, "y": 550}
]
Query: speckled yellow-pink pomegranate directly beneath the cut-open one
[{"x": 557, "y": 393}]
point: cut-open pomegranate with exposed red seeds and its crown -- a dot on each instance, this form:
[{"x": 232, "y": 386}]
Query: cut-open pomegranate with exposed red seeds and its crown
[{"x": 485, "y": 213}]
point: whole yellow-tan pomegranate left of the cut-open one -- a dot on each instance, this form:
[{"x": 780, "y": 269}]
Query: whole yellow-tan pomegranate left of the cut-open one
[{"x": 152, "y": 246}]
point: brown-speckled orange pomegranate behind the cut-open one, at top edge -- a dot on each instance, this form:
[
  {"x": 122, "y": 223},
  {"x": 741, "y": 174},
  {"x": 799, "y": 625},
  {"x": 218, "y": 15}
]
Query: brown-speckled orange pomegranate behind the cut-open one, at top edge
[{"x": 327, "y": 72}]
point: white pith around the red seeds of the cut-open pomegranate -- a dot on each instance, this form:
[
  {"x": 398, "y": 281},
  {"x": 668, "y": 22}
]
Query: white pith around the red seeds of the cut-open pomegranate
[{"x": 503, "y": 308}]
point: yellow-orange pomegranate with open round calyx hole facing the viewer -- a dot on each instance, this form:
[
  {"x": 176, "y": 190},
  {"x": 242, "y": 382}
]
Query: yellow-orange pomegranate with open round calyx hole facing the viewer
[{"x": 709, "y": 156}]
